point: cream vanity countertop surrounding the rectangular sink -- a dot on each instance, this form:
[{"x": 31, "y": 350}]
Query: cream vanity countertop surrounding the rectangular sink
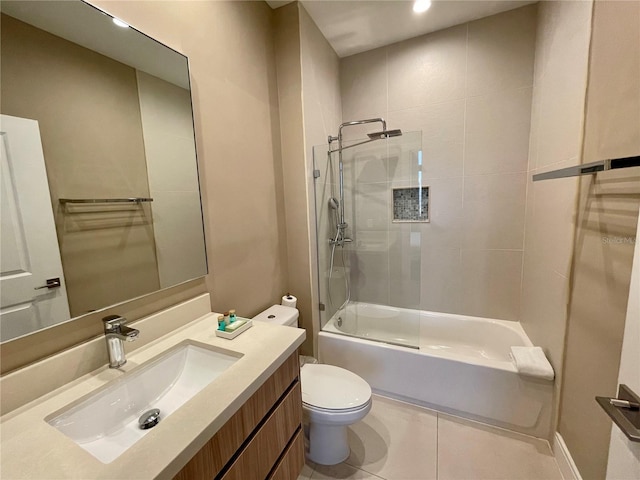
[{"x": 33, "y": 449}]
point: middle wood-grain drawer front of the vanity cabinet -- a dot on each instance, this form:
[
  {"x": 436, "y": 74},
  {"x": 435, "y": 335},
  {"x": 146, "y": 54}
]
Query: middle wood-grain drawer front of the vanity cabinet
[{"x": 262, "y": 452}]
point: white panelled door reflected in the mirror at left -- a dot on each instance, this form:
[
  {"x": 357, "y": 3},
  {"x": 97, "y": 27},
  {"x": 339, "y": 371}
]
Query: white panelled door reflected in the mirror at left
[{"x": 30, "y": 257}]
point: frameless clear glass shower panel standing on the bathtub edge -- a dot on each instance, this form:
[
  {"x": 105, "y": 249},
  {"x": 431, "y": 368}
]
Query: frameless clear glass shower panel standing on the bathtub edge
[{"x": 370, "y": 287}]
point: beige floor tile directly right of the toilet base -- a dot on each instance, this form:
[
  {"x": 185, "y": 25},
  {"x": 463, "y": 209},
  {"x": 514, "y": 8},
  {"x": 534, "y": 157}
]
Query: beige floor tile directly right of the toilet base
[{"x": 395, "y": 440}]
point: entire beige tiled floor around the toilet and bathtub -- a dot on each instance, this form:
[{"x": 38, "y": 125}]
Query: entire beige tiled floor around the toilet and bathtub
[{"x": 398, "y": 441}]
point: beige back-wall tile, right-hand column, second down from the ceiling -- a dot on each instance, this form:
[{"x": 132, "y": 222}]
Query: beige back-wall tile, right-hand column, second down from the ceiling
[{"x": 497, "y": 132}]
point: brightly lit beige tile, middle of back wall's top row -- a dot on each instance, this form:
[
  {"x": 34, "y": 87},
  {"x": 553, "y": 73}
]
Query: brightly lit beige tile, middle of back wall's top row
[{"x": 427, "y": 69}]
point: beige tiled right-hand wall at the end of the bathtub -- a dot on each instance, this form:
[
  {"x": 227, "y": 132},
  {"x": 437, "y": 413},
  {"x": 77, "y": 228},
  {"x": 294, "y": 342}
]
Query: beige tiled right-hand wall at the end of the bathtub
[{"x": 561, "y": 50}]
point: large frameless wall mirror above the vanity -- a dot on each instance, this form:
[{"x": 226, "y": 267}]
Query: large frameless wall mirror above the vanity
[{"x": 101, "y": 114}]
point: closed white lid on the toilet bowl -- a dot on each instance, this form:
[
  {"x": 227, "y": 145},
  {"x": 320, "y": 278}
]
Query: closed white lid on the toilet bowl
[{"x": 334, "y": 388}]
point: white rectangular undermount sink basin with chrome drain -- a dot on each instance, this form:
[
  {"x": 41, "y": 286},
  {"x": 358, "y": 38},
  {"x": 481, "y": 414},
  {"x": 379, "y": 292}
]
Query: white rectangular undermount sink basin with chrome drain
[{"x": 105, "y": 422}]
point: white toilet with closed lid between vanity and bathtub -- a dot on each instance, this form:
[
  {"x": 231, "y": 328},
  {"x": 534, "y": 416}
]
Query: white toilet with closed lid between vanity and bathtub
[{"x": 332, "y": 398}]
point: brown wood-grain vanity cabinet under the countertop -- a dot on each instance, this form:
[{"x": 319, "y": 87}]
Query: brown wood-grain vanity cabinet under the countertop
[{"x": 263, "y": 439}]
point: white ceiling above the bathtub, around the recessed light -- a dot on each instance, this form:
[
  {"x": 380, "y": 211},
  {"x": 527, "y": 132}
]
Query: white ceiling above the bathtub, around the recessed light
[{"x": 354, "y": 26}]
